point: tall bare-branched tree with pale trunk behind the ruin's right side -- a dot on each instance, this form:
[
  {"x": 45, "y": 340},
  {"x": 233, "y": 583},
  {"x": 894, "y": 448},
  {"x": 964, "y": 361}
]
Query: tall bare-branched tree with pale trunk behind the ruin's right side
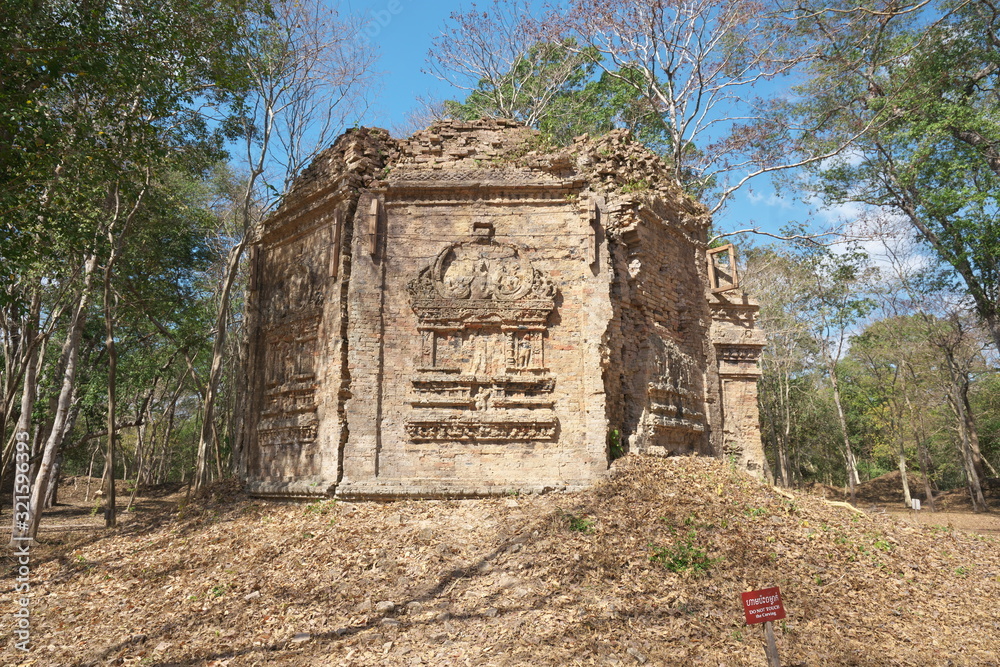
[{"x": 705, "y": 67}]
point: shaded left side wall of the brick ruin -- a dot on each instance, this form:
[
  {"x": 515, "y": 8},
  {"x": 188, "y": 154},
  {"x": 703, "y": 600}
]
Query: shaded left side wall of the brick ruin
[{"x": 300, "y": 271}]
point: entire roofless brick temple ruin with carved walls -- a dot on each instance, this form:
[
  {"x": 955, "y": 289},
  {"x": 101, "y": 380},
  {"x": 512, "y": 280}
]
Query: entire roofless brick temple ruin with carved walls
[{"x": 468, "y": 312}]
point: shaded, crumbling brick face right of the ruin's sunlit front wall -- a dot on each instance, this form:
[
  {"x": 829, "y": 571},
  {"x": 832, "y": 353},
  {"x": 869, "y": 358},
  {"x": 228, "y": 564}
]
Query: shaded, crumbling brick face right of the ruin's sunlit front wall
[{"x": 662, "y": 354}]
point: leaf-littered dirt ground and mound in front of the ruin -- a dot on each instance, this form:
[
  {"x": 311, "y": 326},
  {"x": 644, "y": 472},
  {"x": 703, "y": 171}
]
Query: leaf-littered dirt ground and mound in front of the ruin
[{"x": 646, "y": 568}]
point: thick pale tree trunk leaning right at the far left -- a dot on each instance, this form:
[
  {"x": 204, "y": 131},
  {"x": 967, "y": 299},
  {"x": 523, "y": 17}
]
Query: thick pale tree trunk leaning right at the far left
[{"x": 71, "y": 356}]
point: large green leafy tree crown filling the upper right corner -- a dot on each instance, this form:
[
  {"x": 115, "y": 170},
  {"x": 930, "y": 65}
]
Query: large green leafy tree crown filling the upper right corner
[{"x": 922, "y": 84}]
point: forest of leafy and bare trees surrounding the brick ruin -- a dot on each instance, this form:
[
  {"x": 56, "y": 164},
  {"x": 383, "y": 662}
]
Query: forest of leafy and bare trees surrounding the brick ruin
[{"x": 142, "y": 143}]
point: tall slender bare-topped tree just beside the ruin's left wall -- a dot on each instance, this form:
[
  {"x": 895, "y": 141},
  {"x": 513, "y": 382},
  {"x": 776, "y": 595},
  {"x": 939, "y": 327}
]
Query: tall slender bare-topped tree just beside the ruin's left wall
[{"x": 309, "y": 72}]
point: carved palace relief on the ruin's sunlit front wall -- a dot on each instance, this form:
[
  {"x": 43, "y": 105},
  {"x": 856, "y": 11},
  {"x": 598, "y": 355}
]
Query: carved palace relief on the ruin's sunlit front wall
[{"x": 481, "y": 310}]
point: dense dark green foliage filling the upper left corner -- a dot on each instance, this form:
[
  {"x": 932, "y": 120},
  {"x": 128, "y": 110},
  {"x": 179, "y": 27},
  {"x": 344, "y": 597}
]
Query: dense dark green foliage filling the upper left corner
[{"x": 94, "y": 96}]
